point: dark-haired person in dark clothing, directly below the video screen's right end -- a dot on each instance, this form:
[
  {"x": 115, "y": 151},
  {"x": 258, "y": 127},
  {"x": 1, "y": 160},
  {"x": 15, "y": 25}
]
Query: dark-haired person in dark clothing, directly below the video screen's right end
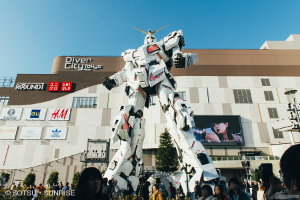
[{"x": 236, "y": 192}]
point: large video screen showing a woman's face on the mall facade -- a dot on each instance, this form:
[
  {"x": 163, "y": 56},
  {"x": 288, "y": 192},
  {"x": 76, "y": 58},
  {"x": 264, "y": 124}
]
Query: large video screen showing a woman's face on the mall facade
[{"x": 218, "y": 130}]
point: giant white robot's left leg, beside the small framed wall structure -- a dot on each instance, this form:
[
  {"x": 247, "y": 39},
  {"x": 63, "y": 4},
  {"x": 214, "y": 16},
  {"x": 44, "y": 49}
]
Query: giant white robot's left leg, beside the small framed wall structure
[{"x": 130, "y": 129}]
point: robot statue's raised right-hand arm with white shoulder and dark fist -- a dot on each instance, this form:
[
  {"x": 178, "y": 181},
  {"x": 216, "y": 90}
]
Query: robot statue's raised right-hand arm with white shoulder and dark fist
[{"x": 174, "y": 43}]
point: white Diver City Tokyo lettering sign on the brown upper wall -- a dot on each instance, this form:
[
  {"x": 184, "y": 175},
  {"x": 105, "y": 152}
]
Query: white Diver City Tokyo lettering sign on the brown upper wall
[{"x": 81, "y": 64}]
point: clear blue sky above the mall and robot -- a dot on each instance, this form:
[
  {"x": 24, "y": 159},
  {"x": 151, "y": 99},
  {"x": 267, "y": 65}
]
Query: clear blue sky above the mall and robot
[{"x": 33, "y": 32}]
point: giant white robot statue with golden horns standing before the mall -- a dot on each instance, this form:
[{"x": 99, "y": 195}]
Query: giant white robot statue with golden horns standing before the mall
[{"x": 147, "y": 73}]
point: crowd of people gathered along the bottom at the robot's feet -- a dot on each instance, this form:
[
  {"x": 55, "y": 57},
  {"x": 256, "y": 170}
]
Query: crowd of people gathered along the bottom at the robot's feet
[{"x": 92, "y": 186}]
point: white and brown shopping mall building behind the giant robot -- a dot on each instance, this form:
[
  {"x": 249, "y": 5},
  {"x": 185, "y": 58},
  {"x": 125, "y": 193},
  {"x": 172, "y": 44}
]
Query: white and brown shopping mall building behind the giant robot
[{"x": 46, "y": 119}]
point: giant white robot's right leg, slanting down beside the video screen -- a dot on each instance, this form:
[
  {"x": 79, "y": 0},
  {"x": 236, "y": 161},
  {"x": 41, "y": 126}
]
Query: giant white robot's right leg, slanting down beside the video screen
[{"x": 191, "y": 152}]
